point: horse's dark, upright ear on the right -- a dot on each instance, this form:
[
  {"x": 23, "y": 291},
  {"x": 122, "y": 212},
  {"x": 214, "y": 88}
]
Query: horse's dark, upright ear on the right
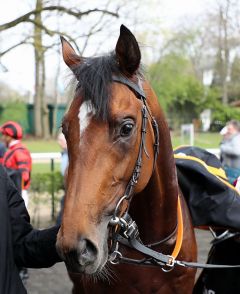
[{"x": 127, "y": 51}]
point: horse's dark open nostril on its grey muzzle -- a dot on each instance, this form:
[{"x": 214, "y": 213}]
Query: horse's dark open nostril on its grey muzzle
[{"x": 87, "y": 252}]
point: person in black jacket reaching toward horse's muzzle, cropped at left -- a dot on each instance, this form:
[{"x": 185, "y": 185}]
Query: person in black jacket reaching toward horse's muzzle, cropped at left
[{"x": 20, "y": 244}]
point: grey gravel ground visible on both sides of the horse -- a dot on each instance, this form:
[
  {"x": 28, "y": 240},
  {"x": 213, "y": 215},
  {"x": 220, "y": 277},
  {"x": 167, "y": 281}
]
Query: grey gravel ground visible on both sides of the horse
[{"x": 55, "y": 280}]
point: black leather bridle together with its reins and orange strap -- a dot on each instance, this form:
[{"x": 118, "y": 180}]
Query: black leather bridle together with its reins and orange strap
[{"x": 125, "y": 230}]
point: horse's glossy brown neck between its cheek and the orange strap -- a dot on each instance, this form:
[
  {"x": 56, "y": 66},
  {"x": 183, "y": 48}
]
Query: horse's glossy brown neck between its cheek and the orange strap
[{"x": 155, "y": 208}]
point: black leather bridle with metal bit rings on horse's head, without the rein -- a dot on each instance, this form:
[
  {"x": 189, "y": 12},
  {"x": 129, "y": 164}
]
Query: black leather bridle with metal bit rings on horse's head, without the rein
[{"x": 123, "y": 227}]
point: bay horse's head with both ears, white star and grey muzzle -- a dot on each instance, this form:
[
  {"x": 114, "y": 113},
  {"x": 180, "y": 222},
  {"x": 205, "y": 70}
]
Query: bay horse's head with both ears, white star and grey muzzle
[{"x": 108, "y": 129}]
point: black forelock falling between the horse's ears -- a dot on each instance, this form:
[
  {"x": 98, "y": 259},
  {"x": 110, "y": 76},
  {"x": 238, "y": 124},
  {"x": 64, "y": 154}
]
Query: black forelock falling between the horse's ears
[{"x": 94, "y": 77}]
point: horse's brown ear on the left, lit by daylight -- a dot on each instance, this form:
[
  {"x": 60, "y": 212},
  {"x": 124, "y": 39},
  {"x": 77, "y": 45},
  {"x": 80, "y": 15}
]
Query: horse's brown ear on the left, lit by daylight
[{"x": 69, "y": 55}]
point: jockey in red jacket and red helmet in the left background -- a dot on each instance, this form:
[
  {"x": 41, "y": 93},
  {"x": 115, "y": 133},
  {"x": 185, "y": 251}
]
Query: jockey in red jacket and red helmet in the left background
[{"x": 17, "y": 157}]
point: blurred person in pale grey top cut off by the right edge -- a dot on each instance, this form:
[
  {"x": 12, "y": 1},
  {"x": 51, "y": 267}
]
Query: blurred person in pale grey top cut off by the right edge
[{"x": 230, "y": 149}]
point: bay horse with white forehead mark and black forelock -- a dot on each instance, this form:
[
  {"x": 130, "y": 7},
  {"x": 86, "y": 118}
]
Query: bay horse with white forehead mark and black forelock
[{"x": 121, "y": 163}]
